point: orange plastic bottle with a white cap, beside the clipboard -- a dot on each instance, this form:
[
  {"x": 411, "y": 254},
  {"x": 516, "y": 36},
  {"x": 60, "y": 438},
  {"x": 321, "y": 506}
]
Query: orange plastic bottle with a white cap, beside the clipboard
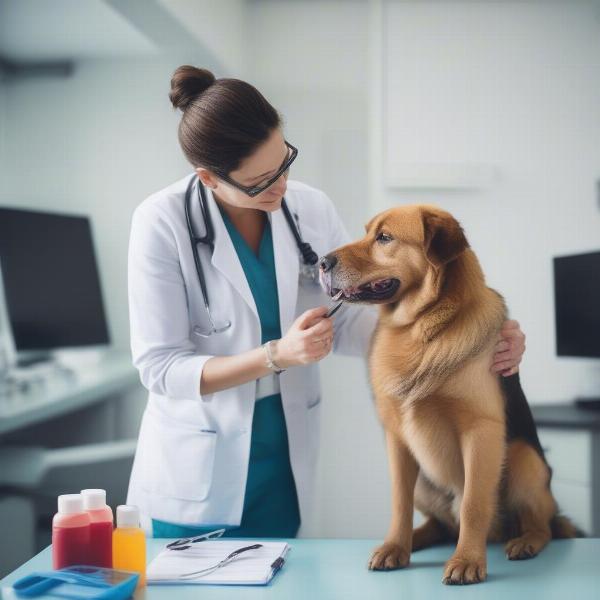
[{"x": 129, "y": 542}]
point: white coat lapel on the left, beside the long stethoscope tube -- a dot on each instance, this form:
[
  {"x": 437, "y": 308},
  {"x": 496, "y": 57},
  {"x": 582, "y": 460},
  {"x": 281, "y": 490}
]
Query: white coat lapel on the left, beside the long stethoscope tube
[{"x": 225, "y": 258}]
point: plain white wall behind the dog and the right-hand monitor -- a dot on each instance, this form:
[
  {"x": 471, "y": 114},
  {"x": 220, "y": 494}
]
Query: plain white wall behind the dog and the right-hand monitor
[{"x": 515, "y": 85}]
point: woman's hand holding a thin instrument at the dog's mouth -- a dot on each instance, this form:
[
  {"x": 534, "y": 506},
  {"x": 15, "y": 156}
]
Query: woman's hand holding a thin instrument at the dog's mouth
[{"x": 308, "y": 340}]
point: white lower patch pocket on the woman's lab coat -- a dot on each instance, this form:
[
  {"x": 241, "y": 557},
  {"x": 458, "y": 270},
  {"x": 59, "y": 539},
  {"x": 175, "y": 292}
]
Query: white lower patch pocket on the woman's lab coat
[{"x": 177, "y": 458}]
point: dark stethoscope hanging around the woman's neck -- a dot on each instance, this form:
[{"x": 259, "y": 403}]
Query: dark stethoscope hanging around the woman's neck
[{"x": 308, "y": 269}]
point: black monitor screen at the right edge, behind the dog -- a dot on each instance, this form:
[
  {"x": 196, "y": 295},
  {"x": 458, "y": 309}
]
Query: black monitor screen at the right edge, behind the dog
[{"x": 577, "y": 304}]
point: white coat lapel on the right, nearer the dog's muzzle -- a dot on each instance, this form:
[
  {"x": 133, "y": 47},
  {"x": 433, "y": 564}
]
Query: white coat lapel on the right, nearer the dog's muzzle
[{"x": 286, "y": 268}]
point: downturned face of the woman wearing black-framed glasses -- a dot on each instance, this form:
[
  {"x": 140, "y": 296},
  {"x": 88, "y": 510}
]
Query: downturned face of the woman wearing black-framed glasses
[{"x": 253, "y": 171}]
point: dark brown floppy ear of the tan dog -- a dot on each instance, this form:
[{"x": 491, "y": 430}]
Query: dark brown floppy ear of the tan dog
[{"x": 444, "y": 238}]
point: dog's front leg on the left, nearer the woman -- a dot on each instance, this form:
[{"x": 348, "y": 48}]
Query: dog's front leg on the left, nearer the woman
[{"x": 395, "y": 551}]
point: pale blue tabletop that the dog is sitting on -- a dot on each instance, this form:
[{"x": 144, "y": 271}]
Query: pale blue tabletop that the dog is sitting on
[{"x": 336, "y": 569}]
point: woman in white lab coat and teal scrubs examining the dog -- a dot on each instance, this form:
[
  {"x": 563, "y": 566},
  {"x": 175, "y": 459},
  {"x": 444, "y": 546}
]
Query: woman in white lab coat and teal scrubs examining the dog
[{"x": 227, "y": 328}]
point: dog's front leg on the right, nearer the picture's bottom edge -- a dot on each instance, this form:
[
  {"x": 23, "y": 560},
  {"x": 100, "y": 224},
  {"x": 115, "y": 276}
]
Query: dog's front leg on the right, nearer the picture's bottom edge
[{"x": 483, "y": 452}]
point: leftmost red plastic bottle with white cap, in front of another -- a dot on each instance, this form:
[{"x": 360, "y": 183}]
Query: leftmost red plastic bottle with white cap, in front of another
[{"x": 70, "y": 532}]
